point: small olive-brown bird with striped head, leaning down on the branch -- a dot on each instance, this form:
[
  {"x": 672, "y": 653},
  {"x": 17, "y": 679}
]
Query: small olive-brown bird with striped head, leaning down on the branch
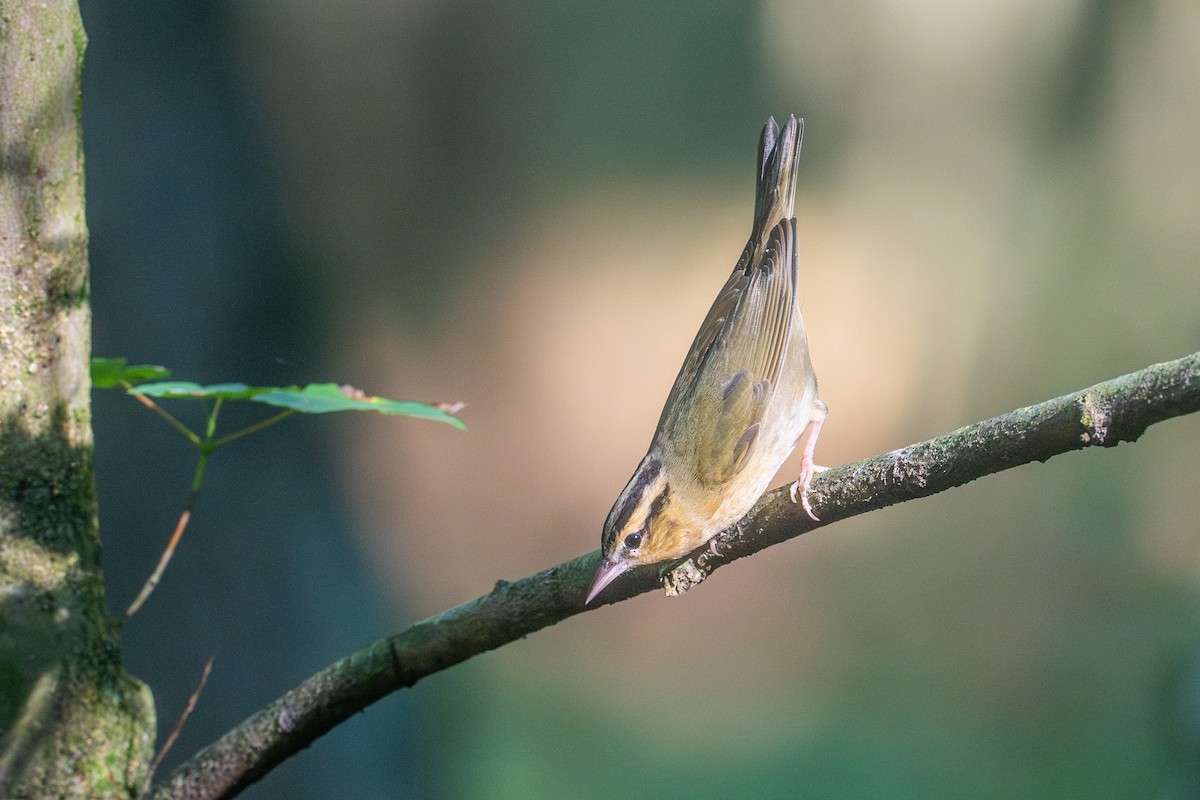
[{"x": 743, "y": 399}]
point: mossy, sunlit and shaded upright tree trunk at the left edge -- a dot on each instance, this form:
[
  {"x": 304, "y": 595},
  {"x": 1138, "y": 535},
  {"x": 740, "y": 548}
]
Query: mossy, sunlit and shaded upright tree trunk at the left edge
[{"x": 73, "y": 723}]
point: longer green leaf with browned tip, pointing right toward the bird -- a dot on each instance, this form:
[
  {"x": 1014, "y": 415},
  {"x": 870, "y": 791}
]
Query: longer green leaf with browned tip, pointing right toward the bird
[{"x": 314, "y": 399}]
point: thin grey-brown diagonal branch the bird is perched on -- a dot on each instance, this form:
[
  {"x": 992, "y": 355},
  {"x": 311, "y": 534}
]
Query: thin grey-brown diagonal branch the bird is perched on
[{"x": 1105, "y": 416}]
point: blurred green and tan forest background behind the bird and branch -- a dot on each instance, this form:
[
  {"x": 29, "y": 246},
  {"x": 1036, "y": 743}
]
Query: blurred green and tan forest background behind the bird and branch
[{"x": 530, "y": 207}]
